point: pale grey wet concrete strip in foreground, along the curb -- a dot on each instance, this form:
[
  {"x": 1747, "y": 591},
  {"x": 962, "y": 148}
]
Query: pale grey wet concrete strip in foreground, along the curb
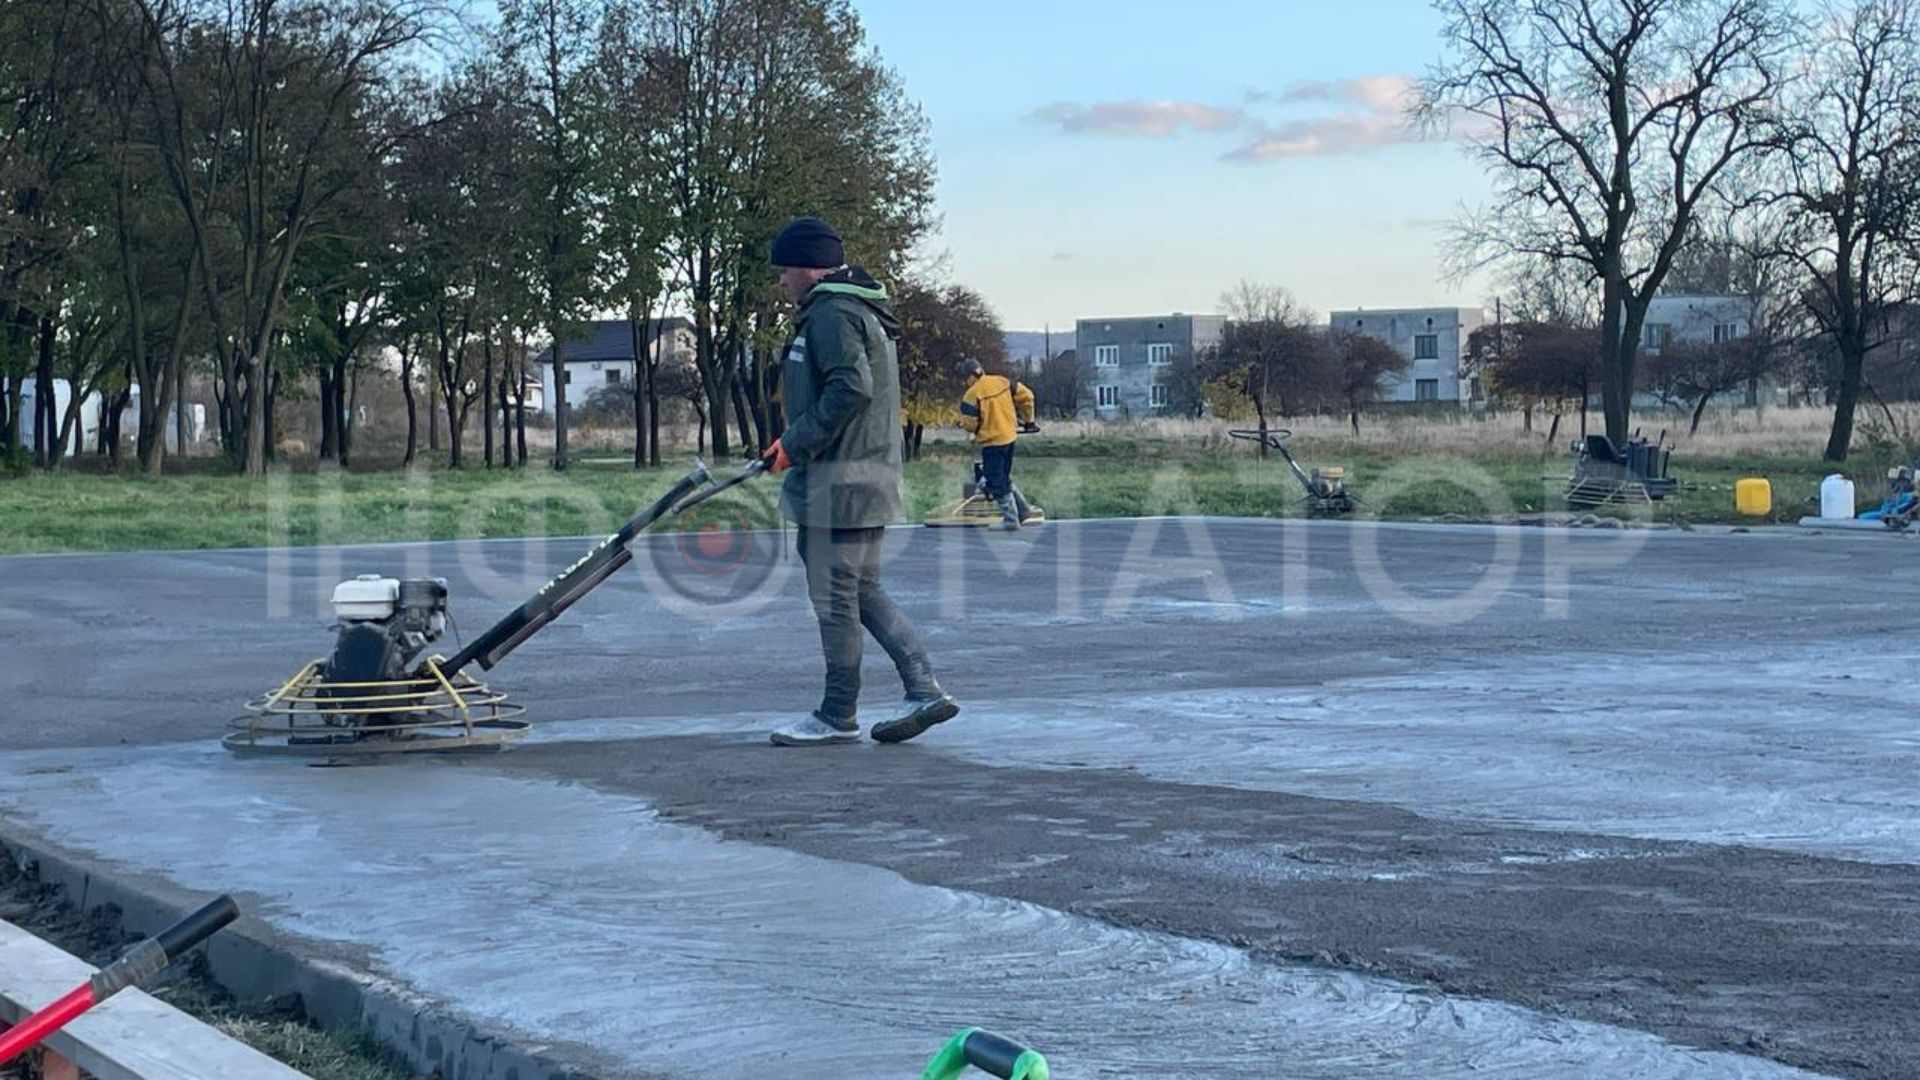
[{"x": 556, "y": 912}]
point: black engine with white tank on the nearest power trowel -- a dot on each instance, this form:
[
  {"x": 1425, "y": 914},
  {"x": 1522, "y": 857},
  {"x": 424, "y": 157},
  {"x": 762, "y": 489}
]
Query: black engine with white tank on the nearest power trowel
[{"x": 385, "y": 626}]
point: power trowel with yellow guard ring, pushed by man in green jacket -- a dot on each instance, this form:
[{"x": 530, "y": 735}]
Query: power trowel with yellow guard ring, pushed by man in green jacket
[{"x": 379, "y": 695}]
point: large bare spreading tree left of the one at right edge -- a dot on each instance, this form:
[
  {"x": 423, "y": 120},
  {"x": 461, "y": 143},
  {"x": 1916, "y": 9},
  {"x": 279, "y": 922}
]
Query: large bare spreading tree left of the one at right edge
[{"x": 1606, "y": 126}]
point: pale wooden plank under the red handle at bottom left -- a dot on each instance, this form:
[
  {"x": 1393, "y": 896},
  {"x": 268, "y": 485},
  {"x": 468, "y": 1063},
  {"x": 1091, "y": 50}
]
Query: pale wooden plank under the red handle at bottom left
[{"x": 132, "y": 1037}]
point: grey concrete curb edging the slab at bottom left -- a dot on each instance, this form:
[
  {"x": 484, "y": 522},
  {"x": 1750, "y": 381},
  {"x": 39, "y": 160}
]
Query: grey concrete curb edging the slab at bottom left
[{"x": 254, "y": 964}]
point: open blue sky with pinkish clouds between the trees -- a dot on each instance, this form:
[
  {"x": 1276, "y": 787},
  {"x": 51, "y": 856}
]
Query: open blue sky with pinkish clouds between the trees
[{"x": 1126, "y": 157}]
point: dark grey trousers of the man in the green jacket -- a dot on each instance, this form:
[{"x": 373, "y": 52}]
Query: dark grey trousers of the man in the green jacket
[{"x": 844, "y": 583}]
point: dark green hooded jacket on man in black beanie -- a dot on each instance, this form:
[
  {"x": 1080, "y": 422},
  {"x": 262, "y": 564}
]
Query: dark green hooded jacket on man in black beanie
[{"x": 842, "y": 389}]
